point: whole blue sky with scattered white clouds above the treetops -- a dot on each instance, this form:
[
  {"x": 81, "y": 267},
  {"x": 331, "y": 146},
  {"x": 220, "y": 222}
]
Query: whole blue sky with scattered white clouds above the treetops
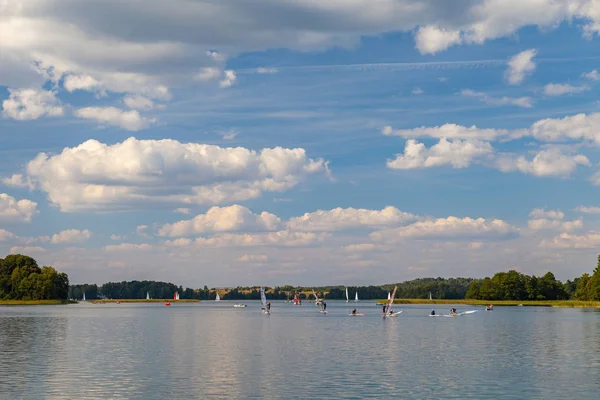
[{"x": 272, "y": 142}]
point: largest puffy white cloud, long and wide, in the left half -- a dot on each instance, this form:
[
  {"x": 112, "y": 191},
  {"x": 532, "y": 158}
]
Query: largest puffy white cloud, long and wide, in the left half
[{"x": 136, "y": 173}]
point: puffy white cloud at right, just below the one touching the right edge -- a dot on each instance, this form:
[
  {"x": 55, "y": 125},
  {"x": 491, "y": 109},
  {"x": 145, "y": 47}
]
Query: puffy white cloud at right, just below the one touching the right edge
[{"x": 550, "y": 162}]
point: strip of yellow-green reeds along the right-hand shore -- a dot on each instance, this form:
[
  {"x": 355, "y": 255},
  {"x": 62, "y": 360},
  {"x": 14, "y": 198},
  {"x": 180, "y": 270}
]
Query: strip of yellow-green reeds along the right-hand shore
[{"x": 506, "y": 303}]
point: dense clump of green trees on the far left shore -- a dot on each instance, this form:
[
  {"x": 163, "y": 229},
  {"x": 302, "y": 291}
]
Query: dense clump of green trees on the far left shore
[{"x": 22, "y": 279}]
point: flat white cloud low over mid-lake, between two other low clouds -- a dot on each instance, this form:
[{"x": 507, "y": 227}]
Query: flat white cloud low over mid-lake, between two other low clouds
[{"x": 349, "y": 218}]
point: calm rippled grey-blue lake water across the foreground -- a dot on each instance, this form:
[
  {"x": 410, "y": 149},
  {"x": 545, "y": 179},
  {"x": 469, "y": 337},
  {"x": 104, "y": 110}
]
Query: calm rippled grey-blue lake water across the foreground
[{"x": 191, "y": 351}]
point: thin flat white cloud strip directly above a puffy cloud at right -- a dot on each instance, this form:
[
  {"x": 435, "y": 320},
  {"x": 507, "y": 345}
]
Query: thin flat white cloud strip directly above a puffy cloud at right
[{"x": 449, "y": 131}]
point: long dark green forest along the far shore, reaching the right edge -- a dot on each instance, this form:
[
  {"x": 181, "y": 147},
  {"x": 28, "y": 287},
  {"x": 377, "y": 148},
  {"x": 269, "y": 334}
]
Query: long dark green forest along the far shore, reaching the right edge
[{"x": 511, "y": 285}]
